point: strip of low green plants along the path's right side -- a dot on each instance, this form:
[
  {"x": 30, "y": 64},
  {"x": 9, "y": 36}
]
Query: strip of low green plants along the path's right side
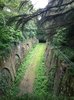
[{"x": 41, "y": 81}]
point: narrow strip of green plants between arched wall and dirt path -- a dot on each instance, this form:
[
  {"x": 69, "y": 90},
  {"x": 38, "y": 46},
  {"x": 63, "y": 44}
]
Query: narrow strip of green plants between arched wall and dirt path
[{"x": 13, "y": 91}]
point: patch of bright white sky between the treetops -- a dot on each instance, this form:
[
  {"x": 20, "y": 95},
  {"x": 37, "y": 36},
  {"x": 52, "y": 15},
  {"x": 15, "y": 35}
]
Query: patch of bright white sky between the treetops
[{"x": 39, "y": 3}]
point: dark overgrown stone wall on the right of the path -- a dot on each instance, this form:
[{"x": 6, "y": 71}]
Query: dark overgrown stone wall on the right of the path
[{"x": 63, "y": 80}]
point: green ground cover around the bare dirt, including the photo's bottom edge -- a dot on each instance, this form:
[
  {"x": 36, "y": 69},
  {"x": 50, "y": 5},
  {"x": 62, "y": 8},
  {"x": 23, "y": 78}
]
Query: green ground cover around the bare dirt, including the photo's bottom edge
[{"x": 42, "y": 90}]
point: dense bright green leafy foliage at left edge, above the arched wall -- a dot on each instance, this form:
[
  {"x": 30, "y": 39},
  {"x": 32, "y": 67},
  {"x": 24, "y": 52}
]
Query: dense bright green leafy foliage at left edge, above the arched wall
[{"x": 7, "y": 37}]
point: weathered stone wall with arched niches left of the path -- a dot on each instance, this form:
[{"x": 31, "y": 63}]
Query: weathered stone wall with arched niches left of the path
[{"x": 9, "y": 66}]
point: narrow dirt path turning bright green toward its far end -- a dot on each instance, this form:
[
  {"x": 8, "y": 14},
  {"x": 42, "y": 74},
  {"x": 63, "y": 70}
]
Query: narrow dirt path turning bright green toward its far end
[{"x": 26, "y": 85}]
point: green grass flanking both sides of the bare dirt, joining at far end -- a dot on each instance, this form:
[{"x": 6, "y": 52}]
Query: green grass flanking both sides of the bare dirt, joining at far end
[{"x": 40, "y": 73}]
